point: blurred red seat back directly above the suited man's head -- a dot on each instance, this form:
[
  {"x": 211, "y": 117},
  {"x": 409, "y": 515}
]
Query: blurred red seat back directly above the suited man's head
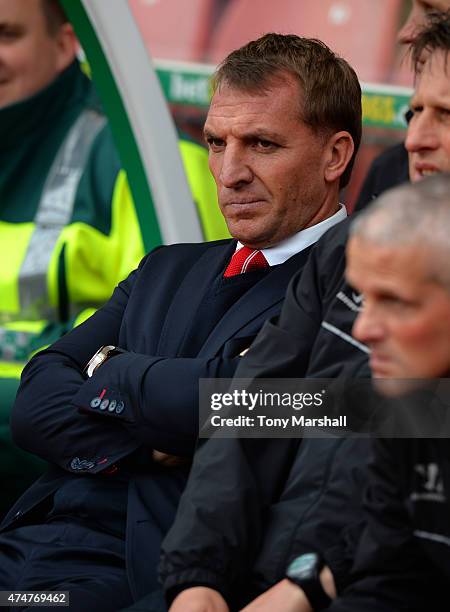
[{"x": 362, "y": 31}]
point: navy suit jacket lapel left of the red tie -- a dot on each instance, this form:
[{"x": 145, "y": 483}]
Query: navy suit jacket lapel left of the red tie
[{"x": 190, "y": 293}]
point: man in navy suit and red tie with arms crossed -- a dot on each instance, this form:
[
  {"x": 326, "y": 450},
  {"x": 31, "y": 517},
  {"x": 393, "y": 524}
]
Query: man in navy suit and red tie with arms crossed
[{"x": 282, "y": 131}]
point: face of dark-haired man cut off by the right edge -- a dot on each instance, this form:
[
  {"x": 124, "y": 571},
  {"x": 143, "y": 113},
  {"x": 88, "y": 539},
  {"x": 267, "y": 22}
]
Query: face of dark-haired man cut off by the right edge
[{"x": 428, "y": 136}]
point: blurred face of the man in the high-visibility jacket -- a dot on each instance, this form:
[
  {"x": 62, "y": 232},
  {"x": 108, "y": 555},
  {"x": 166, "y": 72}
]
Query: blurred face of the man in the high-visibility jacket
[{"x": 29, "y": 55}]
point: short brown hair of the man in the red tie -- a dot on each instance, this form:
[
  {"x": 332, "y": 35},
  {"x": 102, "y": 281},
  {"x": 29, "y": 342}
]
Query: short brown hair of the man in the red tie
[{"x": 331, "y": 98}]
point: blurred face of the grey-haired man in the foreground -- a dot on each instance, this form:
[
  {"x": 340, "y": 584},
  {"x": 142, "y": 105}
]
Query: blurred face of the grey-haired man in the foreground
[{"x": 405, "y": 319}]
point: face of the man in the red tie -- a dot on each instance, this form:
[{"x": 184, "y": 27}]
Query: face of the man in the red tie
[{"x": 268, "y": 165}]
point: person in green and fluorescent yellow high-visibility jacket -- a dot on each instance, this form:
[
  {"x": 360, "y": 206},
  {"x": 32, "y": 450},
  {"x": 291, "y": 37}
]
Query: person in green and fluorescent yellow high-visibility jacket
[{"x": 68, "y": 226}]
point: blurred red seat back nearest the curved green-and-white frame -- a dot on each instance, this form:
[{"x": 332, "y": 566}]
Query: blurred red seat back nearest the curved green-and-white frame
[{"x": 174, "y": 29}]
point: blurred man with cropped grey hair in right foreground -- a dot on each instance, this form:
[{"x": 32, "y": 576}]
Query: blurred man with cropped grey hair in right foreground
[{"x": 399, "y": 258}]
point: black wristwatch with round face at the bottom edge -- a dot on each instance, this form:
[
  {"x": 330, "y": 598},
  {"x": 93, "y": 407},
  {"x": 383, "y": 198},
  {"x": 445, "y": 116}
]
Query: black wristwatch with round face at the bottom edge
[{"x": 304, "y": 571}]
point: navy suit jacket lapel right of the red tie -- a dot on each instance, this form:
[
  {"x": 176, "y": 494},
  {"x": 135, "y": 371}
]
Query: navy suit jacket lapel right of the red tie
[{"x": 255, "y": 303}]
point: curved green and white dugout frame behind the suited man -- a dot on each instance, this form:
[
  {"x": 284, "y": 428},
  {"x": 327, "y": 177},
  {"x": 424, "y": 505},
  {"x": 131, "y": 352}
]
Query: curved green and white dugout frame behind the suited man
[{"x": 139, "y": 117}]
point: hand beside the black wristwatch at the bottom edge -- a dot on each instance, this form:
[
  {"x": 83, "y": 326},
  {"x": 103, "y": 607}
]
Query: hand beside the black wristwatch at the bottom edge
[{"x": 285, "y": 595}]
